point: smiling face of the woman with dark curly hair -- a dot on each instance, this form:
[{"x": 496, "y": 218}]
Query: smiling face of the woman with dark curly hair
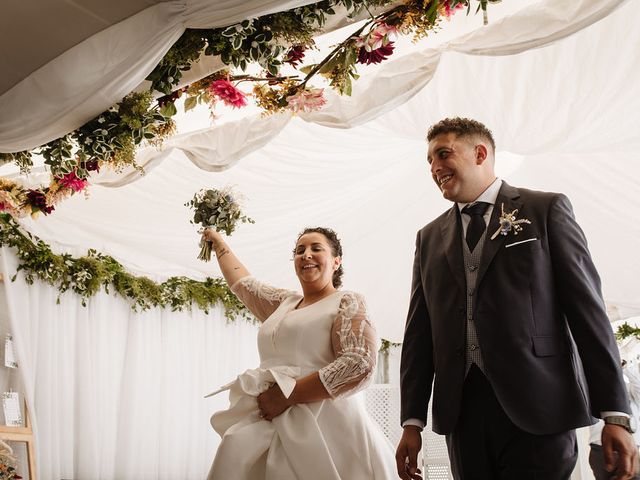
[{"x": 314, "y": 261}]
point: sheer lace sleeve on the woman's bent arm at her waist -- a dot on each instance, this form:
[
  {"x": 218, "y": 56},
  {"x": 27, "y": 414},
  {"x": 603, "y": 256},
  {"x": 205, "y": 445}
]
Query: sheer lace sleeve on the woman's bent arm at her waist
[{"x": 355, "y": 344}]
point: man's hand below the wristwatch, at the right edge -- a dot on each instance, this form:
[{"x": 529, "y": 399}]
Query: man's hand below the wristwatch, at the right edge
[{"x": 620, "y": 452}]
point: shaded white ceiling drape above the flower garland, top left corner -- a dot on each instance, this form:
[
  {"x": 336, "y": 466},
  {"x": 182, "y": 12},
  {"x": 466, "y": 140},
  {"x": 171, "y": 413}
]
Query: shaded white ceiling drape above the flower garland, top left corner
[{"x": 52, "y": 101}]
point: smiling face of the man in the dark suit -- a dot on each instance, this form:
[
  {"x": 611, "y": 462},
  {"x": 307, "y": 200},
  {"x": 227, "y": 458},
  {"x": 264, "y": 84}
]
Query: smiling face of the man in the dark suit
[{"x": 454, "y": 167}]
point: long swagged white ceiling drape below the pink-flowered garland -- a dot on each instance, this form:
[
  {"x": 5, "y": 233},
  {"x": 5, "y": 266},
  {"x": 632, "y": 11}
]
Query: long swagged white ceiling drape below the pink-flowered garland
[{"x": 396, "y": 82}]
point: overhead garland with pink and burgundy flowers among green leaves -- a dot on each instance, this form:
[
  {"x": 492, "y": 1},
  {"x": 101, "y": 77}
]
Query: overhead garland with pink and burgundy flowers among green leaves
[{"x": 271, "y": 41}]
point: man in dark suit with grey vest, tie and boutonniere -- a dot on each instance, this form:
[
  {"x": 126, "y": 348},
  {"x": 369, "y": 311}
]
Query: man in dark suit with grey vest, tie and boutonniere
[{"x": 506, "y": 329}]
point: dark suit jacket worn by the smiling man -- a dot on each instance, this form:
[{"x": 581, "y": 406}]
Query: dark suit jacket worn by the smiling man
[{"x": 544, "y": 335}]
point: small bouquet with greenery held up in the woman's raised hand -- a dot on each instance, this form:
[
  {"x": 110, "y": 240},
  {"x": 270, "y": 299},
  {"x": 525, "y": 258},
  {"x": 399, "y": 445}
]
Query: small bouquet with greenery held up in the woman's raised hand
[{"x": 217, "y": 209}]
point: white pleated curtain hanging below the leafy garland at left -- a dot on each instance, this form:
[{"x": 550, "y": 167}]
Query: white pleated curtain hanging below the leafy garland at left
[{"x": 116, "y": 394}]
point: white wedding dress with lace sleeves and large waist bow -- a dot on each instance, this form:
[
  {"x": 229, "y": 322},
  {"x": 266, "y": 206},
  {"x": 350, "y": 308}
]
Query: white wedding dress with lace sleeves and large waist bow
[{"x": 333, "y": 439}]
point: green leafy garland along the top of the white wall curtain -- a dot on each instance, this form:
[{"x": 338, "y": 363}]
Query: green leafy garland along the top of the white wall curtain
[{"x": 85, "y": 276}]
